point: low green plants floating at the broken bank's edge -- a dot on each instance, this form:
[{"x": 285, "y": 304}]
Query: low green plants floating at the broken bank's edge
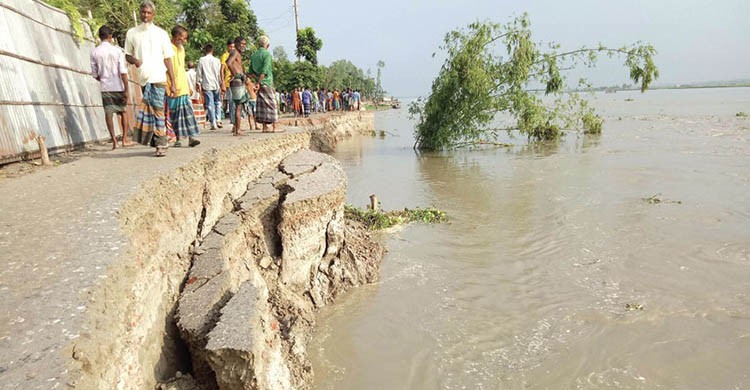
[{"x": 378, "y": 219}]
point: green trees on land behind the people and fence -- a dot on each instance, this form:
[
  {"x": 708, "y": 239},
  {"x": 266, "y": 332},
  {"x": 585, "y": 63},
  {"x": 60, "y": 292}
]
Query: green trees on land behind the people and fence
[{"x": 216, "y": 22}]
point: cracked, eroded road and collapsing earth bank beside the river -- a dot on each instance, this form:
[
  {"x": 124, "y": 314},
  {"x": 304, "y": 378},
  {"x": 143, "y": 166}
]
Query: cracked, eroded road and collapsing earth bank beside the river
[{"x": 200, "y": 270}]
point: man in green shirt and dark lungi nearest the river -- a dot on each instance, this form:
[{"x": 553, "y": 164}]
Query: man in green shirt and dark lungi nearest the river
[{"x": 261, "y": 68}]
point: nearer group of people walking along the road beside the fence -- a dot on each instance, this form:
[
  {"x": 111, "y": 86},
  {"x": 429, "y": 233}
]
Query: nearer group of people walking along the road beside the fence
[{"x": 167, "y": 89}]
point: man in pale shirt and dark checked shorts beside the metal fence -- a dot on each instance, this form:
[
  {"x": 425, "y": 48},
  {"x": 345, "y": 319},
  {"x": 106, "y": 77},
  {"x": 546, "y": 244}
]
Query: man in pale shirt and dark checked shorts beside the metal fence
[{"x": 109, "y": 68}]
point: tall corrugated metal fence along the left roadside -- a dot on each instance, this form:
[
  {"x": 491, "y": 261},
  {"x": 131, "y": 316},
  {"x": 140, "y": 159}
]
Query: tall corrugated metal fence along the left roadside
[{"x": 46, "y": 87}]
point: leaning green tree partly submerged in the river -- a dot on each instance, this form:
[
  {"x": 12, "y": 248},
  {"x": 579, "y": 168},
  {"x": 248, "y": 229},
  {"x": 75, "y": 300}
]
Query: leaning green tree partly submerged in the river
[{"x": 491, "y": 68}]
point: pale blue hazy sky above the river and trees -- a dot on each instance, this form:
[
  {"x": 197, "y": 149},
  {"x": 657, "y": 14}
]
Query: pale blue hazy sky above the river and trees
[{"x": 696, "y": 40}]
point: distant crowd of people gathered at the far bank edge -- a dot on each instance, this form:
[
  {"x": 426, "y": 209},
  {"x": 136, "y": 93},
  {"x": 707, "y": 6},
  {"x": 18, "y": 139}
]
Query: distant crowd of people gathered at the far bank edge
[{"x": 302, "y": 101}]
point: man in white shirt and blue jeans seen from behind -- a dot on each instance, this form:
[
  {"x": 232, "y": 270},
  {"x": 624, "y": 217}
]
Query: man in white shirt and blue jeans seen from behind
[{"x": 210, "y": 82}]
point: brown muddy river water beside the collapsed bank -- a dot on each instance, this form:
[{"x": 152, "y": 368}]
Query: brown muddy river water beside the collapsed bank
[{"x": 554, "y": 272}]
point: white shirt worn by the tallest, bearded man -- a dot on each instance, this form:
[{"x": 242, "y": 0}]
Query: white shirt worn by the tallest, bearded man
[{"x": 151, "y": 45}]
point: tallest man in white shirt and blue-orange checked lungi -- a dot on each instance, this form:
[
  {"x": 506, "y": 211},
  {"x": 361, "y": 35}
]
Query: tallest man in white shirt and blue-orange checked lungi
[{"x": 149, "y": 48}]
